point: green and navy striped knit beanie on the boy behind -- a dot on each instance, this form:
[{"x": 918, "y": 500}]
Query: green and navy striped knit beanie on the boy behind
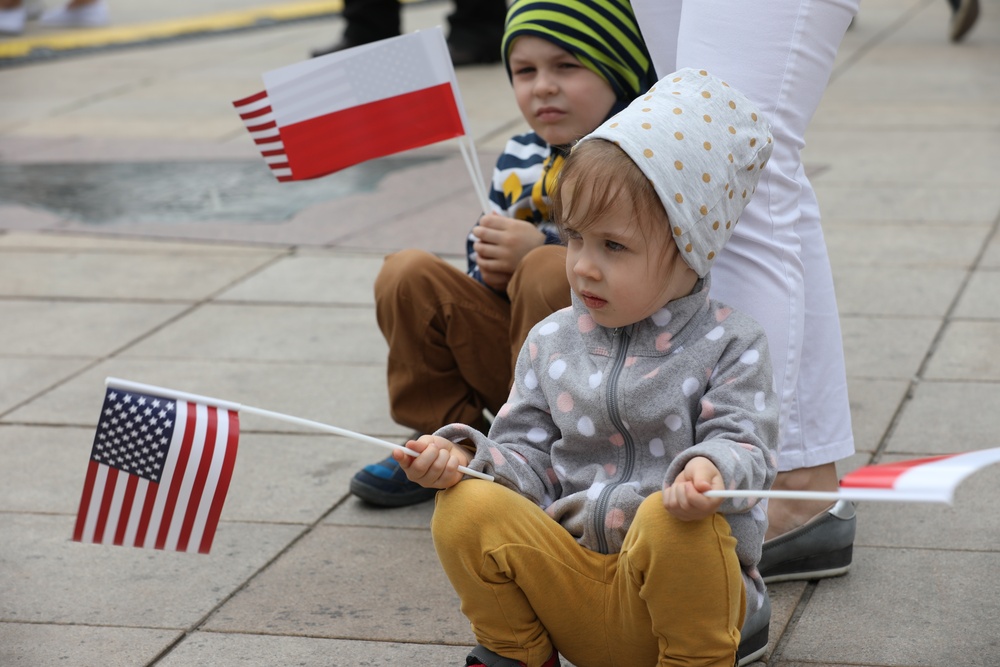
[{"x": 602, "y": 34}]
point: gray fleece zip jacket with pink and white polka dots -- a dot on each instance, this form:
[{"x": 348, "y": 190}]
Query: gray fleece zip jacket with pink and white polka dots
[{"x": 599, "y": 419}]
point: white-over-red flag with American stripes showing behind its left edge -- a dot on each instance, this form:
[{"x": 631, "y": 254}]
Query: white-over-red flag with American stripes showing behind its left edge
[{"x": 325, "y": 114}]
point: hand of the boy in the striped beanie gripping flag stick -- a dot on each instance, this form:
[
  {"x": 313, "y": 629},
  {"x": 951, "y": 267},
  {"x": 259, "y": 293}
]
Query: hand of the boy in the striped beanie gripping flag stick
[{"x": 502, "y": 244}]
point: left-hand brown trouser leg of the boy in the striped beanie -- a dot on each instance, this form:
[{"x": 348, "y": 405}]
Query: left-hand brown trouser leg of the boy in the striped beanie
[{"x": 448, "y": 342}]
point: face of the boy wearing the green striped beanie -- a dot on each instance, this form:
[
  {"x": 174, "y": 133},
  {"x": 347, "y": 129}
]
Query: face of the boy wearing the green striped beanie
[{"x": 560, "y": 98}]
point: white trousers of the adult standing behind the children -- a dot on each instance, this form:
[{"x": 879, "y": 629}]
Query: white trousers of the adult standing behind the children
[{"x": 780, "y": 54}]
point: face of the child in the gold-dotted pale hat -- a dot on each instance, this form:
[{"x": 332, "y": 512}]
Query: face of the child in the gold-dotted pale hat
[{"x": 622, "y": 271}]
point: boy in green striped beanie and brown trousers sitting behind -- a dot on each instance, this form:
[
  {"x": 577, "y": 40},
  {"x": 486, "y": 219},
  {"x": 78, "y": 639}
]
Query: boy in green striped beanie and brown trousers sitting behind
[{"x": 453, "y": 337}]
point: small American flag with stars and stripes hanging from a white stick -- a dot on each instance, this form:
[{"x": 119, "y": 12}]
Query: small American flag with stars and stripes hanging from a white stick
[{"x": 158, "y": 474}]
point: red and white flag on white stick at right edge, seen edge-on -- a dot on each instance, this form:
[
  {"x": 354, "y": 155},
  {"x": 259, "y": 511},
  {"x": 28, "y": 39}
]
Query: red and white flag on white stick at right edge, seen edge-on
[{"x": 931, "y": 480}]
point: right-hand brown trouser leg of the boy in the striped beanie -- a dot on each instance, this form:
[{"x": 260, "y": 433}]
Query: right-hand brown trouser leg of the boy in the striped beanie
[{"x": 537, "y": 289}]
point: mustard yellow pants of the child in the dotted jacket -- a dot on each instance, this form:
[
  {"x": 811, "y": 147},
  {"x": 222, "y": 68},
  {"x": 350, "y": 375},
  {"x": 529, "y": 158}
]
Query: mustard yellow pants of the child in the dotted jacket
[{"x": 673, "y": 596}]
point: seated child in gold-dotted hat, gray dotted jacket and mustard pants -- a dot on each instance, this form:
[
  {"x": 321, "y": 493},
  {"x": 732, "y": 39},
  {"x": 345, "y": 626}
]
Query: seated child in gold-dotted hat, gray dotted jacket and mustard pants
[{"x": 597, "y": 540}]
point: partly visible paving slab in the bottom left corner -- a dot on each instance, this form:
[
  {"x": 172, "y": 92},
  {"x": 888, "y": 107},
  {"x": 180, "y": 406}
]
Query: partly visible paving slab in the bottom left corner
[{"x": 34, "y": 644}]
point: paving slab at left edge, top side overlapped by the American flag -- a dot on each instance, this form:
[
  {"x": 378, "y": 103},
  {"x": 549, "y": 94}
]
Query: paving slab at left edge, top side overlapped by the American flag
[{"x": 47, "y": 578}]
